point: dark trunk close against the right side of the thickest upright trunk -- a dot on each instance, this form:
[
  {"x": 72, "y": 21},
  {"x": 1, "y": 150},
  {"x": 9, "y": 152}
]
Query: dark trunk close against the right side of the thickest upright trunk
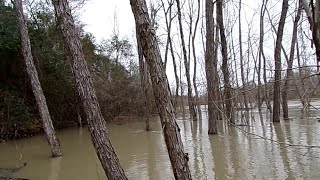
[{"x": 224, "y": 51}]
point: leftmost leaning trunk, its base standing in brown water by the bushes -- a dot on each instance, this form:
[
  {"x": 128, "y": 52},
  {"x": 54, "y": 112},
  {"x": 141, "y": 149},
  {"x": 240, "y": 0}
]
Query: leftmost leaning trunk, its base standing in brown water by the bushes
[{"x": 35, "y": 83}]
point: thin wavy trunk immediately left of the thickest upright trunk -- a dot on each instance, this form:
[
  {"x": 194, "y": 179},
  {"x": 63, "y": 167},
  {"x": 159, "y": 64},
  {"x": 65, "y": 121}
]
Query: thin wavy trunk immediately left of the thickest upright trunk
[{"x": 195, "y": 63}]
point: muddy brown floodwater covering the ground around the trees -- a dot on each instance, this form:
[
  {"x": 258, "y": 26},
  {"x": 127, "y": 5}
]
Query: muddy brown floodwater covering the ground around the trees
[{"x": 236, "y": 153}]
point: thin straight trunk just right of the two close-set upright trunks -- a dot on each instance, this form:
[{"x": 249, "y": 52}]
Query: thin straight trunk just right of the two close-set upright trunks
[{"x": 244, "y": 83}]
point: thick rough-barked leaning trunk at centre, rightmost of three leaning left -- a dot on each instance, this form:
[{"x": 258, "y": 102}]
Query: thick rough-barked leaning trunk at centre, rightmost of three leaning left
[{"x": 151, "y": 52}]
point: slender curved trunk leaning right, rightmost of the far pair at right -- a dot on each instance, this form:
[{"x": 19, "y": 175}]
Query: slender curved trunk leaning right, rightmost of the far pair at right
[{"x": 290, "y": 62}]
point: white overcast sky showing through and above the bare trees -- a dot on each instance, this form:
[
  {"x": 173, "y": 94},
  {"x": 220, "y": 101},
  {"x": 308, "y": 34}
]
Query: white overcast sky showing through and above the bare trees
[{"x": 103, "y": 17}]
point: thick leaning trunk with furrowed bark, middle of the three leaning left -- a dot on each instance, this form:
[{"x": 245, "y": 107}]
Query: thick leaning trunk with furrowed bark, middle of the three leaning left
[{"x": 84, "y": 85}]
